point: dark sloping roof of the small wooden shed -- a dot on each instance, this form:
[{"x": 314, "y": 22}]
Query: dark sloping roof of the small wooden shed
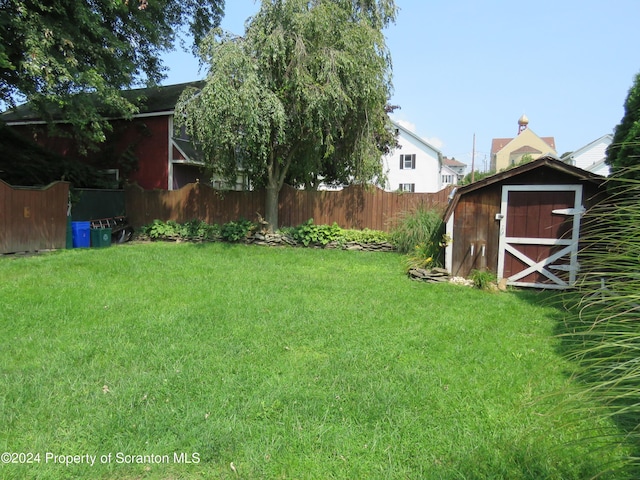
[{"x": 545, "y": 161}]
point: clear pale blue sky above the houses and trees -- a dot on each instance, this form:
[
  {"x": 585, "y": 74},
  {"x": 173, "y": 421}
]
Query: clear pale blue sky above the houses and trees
[{"x": 464, "y": 67}]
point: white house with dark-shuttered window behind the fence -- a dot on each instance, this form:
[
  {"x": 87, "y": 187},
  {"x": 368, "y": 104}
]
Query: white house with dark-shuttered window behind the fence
[{"x": 416, "y": 165}]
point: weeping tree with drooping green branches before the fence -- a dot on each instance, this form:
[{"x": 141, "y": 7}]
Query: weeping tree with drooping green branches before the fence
[{"x": 302, "y": 96}]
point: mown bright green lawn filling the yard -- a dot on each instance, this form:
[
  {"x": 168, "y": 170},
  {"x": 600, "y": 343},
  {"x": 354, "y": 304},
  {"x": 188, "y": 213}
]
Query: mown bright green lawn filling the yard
[{"x": 232, "y": 361}]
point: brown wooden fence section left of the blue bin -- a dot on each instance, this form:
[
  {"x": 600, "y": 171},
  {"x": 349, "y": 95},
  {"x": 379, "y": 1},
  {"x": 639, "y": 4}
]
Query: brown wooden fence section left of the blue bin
[{"x": 32, "y": 218}]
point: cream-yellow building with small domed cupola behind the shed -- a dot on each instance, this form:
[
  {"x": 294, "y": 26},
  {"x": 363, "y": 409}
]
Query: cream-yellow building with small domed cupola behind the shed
[{"x": 506, "y": 152}]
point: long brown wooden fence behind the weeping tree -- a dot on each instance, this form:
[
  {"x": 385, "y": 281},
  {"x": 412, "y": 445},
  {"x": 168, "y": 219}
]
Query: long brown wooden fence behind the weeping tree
[{"x": 355, "y": 207}]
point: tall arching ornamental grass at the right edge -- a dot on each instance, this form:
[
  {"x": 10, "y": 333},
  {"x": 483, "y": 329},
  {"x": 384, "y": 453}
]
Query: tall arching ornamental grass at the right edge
[{"x": 602, "y": 331}]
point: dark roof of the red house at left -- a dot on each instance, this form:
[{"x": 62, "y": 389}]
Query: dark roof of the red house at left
[{"x": 158, "y": 99}]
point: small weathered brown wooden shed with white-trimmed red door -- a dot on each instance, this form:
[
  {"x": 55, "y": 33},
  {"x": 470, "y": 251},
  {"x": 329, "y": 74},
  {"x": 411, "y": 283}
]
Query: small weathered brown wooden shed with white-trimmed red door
[{"x": 522, "y": 224}]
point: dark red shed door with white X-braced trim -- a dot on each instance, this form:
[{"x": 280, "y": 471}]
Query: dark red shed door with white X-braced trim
[{"x": 539, "y": 233}]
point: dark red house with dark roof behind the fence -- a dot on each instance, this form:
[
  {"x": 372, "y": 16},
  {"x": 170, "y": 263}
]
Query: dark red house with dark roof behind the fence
[{"x": 144, "y": 150}]
